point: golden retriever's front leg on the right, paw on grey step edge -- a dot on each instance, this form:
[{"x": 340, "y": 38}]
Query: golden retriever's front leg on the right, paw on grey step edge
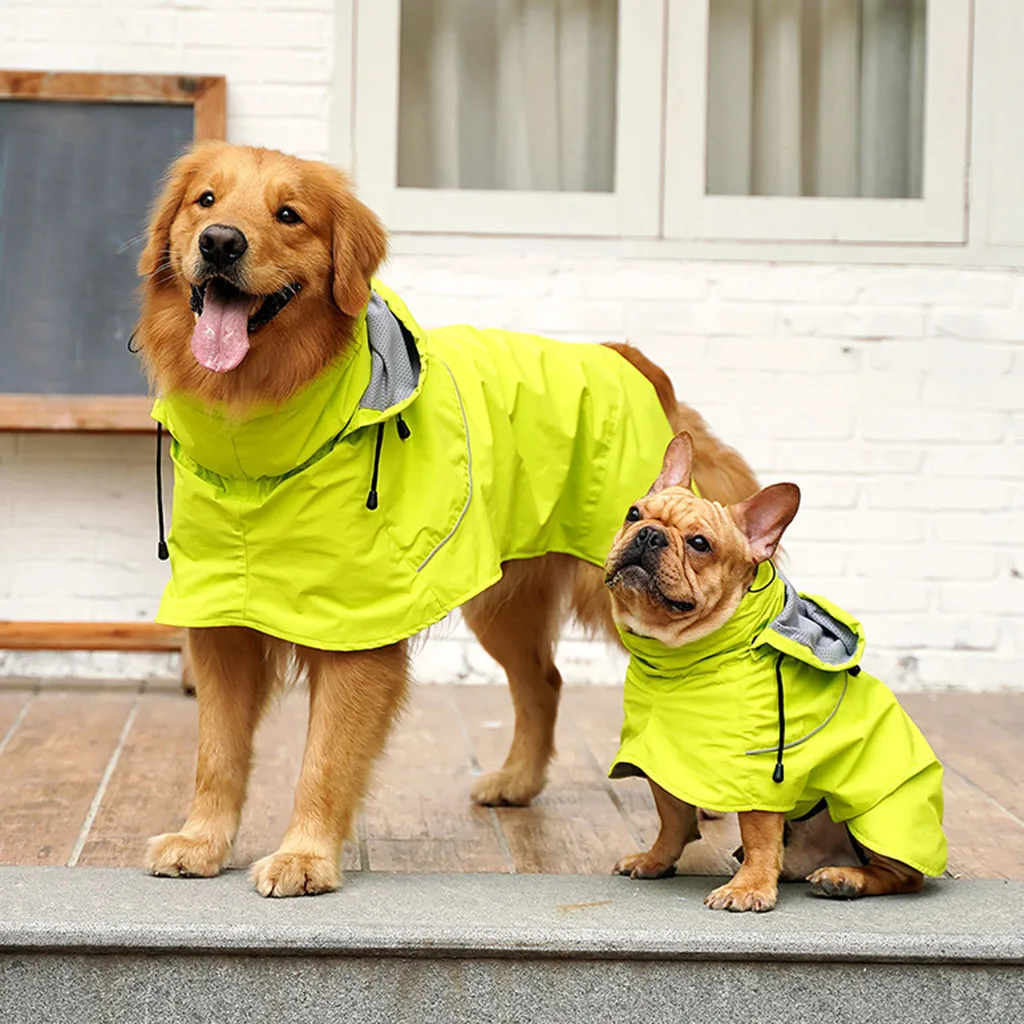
[{"x": 354, "y": 699}]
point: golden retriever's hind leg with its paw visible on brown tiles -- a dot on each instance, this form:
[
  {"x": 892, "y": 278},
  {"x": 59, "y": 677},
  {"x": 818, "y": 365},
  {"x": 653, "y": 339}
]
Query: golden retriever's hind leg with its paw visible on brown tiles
[{"x": 518, "y": 623}]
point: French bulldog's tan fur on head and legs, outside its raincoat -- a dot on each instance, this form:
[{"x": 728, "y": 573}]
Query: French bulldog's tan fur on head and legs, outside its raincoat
[{"x": 742, "y": 536}]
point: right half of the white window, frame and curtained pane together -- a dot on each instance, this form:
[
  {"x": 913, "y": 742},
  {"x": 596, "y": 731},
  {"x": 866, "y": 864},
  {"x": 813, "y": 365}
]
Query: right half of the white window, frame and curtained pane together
[{"x": 818, "y": 120}]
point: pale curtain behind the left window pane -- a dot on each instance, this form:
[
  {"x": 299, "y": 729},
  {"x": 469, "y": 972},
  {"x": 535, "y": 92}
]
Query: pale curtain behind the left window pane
[{"x": 516, "y": 95}]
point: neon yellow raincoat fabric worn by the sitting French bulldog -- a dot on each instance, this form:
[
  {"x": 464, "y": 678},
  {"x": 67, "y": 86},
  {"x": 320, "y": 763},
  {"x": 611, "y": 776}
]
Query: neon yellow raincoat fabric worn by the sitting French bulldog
[{"x": 695, "y": 713}]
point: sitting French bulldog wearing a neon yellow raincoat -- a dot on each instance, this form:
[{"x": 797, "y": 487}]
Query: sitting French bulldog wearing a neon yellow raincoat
[{"x": 745, "y": 696}]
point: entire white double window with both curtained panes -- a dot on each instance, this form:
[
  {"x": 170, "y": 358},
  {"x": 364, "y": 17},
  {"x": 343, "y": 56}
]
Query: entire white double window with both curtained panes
[{"x": 757, "y": 120}]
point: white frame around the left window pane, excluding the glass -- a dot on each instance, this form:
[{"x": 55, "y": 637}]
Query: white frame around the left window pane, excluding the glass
[{"x": 632, "y": 210}]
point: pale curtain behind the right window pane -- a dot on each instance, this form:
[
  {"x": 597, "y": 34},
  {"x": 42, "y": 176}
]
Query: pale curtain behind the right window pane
[{"x": 817, "y": 98}]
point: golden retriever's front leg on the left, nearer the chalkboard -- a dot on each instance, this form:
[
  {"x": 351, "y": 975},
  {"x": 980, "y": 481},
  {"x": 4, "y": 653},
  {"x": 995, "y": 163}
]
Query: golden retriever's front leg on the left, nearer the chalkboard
[{"x": 233, "y": 681}]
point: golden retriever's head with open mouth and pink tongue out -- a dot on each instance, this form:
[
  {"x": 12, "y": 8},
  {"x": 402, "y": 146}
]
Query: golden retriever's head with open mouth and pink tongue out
[{"x": 255, "y": 264}]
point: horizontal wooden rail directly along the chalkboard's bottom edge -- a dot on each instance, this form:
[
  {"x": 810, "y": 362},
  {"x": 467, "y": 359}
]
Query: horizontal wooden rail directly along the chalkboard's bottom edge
[{"x": 103, "y": 414}]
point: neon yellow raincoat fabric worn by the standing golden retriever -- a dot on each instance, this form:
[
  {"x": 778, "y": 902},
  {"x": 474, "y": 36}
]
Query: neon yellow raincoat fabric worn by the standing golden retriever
[{"x": 521, "y": 446}]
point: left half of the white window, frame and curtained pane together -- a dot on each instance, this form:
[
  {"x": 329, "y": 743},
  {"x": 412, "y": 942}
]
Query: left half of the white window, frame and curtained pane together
[{"x": 511, "y": 116}]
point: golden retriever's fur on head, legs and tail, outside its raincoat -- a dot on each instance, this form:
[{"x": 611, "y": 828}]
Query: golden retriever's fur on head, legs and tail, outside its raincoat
[{"x": 355, "y": 698}]
